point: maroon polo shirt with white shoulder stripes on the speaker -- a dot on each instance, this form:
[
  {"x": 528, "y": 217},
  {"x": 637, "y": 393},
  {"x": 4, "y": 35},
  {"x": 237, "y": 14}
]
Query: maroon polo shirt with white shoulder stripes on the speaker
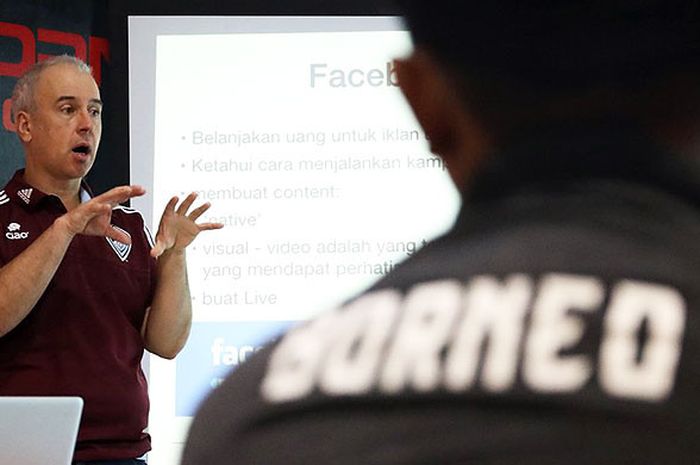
[{"x": 83, "y": 336}]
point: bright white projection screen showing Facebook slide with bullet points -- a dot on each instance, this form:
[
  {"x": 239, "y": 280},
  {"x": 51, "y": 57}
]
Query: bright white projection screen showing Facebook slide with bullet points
[{"x": 296, "y": 132}]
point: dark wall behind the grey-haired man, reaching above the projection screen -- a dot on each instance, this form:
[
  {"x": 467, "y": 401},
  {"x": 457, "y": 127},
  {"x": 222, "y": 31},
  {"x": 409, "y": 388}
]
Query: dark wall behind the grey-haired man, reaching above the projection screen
[{"x": 107, "y": 20}]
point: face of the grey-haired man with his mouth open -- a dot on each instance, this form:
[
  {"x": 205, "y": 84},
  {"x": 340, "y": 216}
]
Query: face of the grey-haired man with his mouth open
[{"x": 65, "y": 124}]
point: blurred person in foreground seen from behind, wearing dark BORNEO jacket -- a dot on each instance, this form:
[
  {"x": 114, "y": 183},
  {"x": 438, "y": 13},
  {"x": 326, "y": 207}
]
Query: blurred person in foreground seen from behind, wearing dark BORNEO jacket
[{"x": 557, "y": 322}]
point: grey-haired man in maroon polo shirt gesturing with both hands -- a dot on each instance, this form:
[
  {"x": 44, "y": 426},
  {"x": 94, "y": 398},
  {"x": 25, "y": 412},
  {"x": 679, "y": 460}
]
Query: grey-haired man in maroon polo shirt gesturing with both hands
[{"x": 83, "y": 288}]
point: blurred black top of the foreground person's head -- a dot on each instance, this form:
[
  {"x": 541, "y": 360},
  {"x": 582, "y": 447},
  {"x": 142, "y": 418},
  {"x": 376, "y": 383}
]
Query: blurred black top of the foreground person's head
[{"x": 515, "y": 60}]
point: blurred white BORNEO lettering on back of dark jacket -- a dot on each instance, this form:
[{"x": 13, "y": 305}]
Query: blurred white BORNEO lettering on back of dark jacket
[{"x": 489, "y": 332}]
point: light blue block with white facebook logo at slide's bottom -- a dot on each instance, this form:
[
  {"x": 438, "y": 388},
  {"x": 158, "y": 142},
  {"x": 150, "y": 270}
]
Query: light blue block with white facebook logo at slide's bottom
[{"x": 213, "y": 351}]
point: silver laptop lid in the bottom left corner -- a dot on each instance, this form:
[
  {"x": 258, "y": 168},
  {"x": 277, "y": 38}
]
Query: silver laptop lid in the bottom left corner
[{"x": 38, "y": 430}]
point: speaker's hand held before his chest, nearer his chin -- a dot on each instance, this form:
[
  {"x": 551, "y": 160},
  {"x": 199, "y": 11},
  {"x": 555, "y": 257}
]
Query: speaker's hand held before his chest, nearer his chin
[{"x": 93, "y": 218}]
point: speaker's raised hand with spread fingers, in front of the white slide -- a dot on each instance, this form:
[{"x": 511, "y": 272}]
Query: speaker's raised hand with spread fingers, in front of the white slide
[{"x": 178, "y": 228}]
